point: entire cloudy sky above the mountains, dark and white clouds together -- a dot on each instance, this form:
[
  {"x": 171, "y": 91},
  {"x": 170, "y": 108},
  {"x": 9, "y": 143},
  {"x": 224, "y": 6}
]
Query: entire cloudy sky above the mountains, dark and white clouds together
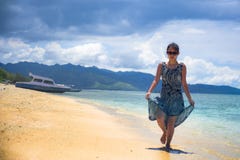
[{"x": 125, "y": 35}]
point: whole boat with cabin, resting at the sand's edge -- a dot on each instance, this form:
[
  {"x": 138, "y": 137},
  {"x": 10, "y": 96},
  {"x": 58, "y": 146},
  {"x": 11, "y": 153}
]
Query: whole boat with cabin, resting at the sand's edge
[{"x": 44, "y": 84}]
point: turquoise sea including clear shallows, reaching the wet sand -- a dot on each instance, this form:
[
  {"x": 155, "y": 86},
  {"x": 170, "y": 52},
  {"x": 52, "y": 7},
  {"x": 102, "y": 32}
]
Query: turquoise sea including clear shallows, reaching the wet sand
[{"x": 215, "y": 118}]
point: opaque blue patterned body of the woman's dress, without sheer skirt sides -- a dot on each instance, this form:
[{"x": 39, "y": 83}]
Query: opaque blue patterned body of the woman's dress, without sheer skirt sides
[{"x": 171, "y": 93}]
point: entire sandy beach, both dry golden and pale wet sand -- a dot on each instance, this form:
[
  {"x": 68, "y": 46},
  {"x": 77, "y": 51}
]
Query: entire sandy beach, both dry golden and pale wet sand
[{"x": 37, "y": 125}]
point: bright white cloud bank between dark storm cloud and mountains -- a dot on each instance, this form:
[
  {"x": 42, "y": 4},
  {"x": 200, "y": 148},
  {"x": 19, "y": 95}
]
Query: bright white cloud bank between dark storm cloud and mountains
[{"x": 209, "y": 48}]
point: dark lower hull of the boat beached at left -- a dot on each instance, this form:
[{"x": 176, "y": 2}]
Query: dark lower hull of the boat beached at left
[{"x": 43, "y": 88}]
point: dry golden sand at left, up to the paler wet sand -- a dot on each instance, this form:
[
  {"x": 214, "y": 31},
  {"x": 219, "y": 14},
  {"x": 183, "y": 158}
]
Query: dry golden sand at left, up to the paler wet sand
[{"x": 36, "y": 125}]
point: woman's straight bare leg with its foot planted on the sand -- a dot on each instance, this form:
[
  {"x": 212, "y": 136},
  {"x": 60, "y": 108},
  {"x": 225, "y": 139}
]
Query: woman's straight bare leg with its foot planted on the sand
[{"x": 170, "y": 130}]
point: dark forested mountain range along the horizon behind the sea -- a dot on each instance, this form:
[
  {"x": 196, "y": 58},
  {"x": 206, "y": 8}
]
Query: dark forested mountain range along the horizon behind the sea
[{"x": 95, "y": 78}]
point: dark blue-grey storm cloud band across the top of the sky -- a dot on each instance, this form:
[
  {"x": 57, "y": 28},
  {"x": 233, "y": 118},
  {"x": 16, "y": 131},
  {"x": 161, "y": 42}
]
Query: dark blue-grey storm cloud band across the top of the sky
[{"x": 61, "y": 19}]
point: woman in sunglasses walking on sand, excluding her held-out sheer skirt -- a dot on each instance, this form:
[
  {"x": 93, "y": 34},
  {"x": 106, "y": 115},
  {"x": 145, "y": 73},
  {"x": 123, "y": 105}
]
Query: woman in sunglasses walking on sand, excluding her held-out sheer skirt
[{"x": 173, "y": 79}]
